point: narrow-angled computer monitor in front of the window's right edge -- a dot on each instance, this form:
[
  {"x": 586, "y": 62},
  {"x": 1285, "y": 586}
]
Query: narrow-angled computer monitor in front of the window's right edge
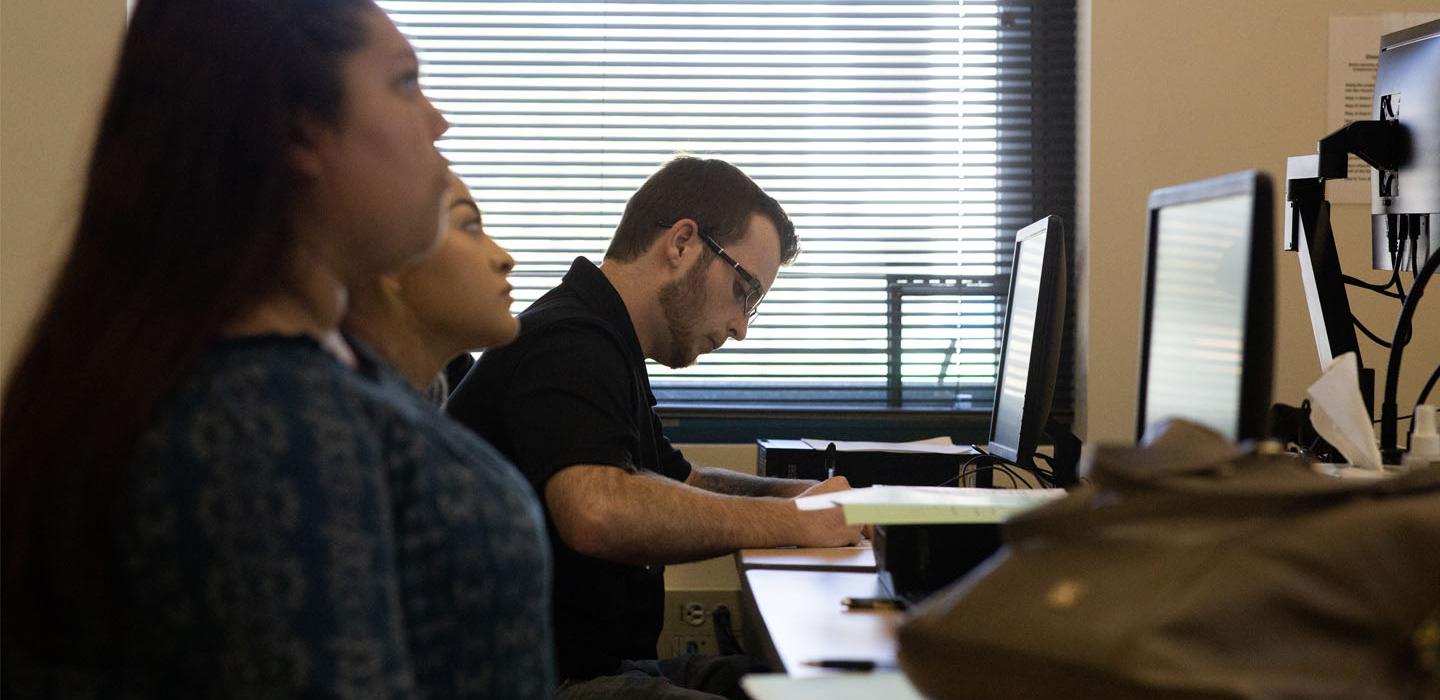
[{"x": 1030, "y": 342}]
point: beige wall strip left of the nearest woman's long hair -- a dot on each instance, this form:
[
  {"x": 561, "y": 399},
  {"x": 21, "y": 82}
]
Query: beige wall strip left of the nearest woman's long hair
[{"x": 55, "y": 64}]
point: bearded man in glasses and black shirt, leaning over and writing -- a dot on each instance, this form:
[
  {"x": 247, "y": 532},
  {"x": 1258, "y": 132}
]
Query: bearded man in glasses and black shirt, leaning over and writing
[{"x": 570, "y": 404}]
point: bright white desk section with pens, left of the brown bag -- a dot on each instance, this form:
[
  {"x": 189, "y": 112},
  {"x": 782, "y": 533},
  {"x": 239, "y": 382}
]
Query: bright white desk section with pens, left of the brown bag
[{"x": 804, "y": 622}]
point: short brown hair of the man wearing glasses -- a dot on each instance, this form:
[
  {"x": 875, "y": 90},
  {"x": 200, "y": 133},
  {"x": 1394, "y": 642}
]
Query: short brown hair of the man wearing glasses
[{"x": 712, "y": 192}]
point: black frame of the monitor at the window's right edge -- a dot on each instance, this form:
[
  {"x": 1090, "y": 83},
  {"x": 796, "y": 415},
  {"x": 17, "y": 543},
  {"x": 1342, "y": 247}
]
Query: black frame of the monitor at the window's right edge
[{"x": 1050, "y": 313}]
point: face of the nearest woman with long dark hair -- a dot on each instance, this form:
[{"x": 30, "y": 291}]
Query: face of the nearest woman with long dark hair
[{"x": 377, "y": 174}]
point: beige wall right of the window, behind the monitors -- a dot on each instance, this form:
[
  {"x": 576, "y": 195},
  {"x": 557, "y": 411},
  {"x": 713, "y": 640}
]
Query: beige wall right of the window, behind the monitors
[{"x": 1183, "y": 90}]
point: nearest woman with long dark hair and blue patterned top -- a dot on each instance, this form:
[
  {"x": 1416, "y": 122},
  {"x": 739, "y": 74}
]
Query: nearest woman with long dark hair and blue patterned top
[{"x": 205, "y": 490}]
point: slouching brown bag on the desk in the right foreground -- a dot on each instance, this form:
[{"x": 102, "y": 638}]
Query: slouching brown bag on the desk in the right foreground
[{"x": 1193, "y": 570}]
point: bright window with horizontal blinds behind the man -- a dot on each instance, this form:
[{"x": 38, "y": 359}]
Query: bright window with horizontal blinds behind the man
[{"x": 908, "y": 140}]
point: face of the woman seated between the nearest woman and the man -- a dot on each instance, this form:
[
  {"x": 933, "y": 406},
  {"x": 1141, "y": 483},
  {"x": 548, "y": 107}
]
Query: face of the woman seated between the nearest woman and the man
[{"x": 462, "y": 292}]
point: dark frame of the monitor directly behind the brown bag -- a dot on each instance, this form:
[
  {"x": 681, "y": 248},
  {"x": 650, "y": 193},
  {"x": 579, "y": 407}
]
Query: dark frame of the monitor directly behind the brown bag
[{"x": 1256, "y": 368}]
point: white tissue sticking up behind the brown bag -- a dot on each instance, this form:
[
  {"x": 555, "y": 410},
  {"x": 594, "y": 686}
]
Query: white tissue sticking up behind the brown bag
[{"x": 1338, "y": 413}]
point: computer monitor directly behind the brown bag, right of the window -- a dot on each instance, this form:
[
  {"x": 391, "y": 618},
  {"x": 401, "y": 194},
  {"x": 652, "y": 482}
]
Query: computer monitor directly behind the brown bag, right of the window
[{"x": 1209, "y": 306}]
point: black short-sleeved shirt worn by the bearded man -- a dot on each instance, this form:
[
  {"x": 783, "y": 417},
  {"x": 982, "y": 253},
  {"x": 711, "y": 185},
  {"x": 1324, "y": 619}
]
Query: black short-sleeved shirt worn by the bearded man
[{"x": 574, "y": 390}]
